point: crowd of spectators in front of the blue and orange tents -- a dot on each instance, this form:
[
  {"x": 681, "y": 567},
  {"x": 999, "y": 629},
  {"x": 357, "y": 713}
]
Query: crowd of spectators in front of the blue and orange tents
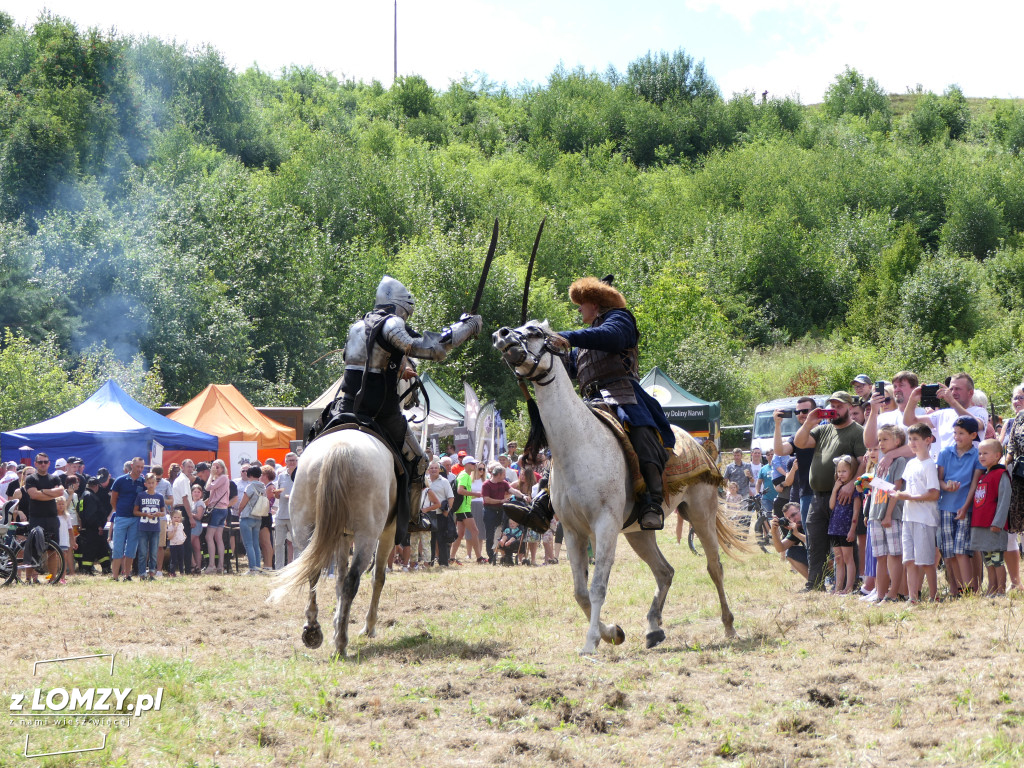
[{"x": 141, "y": 524}]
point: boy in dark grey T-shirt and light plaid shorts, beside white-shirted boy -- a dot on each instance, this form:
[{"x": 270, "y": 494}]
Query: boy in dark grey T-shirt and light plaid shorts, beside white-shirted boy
[{"x": 885, "y": 526}]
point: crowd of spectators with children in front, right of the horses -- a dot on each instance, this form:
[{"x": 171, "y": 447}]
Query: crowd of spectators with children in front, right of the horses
[{"x": 883, "y": 488}]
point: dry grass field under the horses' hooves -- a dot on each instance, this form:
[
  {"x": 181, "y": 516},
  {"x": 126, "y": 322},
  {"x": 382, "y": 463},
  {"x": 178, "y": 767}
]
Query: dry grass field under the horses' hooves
[{"x": 479, "y": 667}]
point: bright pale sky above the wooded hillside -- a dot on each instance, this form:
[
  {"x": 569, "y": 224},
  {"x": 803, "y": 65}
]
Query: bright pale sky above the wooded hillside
[{"x": 788, "y": 48}]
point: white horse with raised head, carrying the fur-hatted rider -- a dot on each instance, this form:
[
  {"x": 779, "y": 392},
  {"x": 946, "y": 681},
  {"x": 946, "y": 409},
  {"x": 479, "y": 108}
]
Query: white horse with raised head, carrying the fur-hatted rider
[{"x": 591, "y": 490}]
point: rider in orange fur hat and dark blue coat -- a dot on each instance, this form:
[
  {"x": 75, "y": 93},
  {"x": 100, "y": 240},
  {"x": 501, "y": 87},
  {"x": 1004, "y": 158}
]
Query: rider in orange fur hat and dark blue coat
[{"x": 605, "y": 360}]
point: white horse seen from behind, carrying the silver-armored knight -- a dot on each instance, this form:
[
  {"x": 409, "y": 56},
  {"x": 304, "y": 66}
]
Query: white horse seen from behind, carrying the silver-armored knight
[{"x": 345, "y": 489}]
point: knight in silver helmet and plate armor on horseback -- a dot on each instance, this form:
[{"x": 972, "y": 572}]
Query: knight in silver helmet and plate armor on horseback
[{"x": 375, "y": 361}]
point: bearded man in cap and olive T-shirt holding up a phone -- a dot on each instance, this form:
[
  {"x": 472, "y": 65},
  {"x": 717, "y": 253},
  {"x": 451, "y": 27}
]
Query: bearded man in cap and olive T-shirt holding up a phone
[{"x": 837, "y": 437}]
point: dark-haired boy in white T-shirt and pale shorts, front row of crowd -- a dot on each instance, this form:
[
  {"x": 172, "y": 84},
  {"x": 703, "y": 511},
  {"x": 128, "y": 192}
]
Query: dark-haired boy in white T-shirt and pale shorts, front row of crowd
[{"x": 921, "y": 514}]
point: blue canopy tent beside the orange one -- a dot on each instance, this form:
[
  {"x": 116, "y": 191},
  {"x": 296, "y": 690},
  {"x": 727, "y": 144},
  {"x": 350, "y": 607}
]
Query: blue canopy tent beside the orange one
[{"x": 107, "y": 431}]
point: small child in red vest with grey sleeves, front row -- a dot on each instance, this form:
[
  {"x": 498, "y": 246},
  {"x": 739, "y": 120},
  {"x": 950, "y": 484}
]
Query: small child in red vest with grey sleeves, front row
[{"x": 989, "y": 520}]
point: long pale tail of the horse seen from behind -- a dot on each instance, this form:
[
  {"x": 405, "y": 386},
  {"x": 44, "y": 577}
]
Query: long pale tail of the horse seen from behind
[{"x": 331, "y": 504}]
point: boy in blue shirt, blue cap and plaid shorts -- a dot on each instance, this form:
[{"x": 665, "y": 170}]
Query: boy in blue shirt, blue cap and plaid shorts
[{"x": 959, "y": 471}]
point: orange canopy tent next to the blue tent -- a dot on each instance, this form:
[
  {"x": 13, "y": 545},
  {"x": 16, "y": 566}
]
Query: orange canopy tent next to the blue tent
[{"x": 226, "y": 413}]
